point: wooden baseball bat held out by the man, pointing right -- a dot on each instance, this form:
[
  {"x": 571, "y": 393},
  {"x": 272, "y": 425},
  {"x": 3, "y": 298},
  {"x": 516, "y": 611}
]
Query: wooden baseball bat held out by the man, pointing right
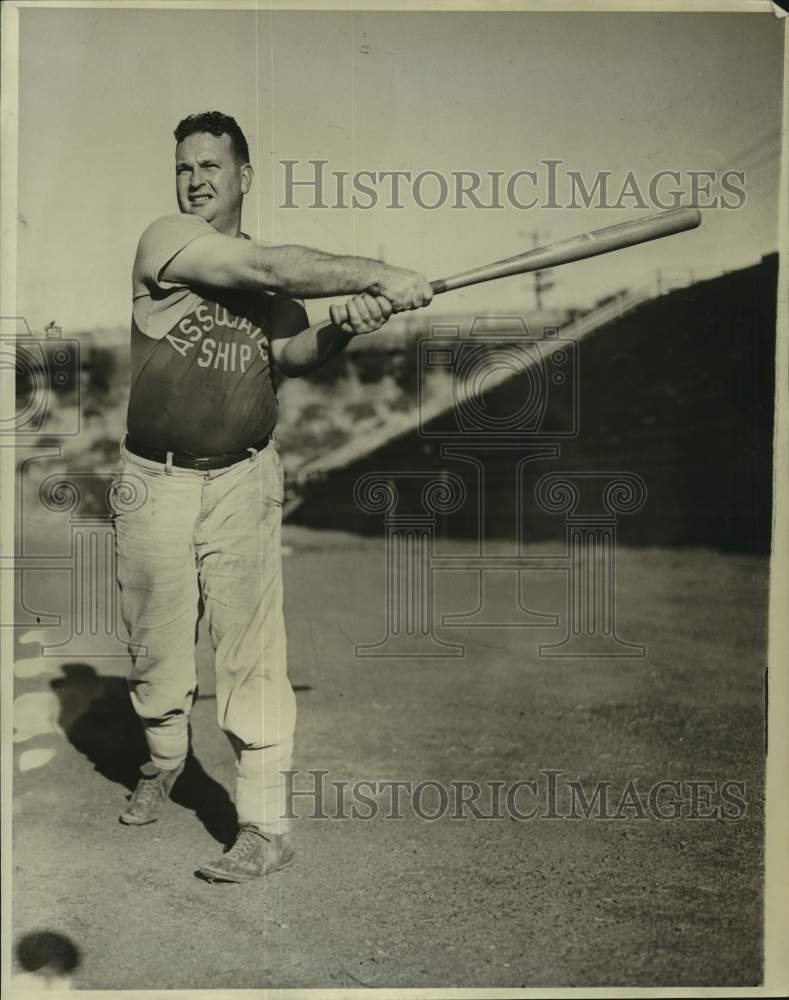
[{"x": 592, "y": 244}]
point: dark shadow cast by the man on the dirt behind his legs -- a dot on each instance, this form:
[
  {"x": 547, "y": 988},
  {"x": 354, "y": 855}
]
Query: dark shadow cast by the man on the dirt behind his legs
[{"x": 99, "y": 721}]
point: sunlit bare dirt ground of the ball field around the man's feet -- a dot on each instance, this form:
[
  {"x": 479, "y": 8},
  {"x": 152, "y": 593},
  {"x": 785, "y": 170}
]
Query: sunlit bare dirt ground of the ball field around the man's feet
[{"x": 414, "y": 902}]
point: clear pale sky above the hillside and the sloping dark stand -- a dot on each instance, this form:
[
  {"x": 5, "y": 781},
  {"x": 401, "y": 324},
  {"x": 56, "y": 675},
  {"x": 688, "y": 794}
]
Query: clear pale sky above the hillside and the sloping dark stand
[{"x": 102, "y": 89}]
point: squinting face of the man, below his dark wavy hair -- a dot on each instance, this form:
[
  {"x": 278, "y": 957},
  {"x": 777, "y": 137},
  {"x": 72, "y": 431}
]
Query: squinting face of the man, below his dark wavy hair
[{"x": 209, "y": 180}]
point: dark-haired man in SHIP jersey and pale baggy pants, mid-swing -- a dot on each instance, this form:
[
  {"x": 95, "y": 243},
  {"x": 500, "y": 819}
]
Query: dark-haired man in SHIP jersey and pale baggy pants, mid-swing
[{"x": 213, "y": 314}]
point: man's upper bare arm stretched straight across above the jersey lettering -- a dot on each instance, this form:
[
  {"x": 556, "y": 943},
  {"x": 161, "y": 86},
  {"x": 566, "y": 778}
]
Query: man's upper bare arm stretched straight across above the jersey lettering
[{"x": 219, "y": 261}]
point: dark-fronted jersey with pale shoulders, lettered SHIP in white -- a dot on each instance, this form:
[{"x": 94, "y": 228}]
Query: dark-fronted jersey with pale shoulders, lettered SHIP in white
[{"x": 202, "y": 379}]
